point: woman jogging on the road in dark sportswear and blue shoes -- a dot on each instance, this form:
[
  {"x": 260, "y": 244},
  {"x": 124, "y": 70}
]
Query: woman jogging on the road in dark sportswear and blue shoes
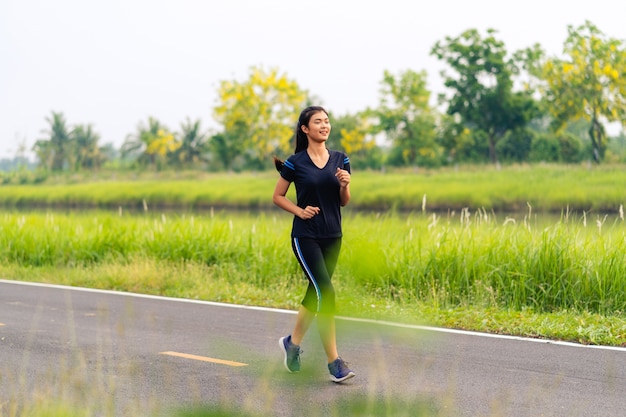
[{"x": 322, "y": 180}]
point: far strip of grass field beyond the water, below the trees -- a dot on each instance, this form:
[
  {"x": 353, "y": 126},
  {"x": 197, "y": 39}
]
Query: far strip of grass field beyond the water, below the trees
[{"x": 545, "y": 188}]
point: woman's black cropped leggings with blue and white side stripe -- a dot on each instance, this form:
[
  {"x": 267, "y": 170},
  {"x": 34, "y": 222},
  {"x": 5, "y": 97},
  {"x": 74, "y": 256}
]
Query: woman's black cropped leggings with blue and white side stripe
[{"x": 318, "y": 258}]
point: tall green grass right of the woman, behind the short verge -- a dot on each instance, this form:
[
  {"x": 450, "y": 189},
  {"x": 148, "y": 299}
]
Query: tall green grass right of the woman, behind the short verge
[{"x": 479, "y": 261}]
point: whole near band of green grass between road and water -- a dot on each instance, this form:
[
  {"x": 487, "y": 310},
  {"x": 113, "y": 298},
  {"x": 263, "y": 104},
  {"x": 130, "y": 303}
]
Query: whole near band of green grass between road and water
[{"x": 470, "y": 270}]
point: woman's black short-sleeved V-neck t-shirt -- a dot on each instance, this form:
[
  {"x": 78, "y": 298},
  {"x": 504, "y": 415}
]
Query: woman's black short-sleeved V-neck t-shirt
[{"x": 318, "y": 188}]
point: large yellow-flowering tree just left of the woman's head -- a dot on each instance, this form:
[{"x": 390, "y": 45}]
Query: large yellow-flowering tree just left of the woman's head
[{"x": 260, "y": 113}]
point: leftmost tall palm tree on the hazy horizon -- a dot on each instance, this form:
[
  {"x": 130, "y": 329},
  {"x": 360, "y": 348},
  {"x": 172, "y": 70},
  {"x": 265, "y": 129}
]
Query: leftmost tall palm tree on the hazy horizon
[{"x": 54, "y": 150}]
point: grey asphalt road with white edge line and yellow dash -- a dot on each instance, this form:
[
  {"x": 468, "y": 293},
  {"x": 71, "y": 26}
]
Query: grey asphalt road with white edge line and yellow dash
[{"x": 125, "y": 354}]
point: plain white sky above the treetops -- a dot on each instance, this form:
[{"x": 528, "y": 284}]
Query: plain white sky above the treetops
[{"x": 114, "y": 63}]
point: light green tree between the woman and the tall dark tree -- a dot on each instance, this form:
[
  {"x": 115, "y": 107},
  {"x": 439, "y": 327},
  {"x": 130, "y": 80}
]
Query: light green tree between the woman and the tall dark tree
[{"x": 406, "y": 117}]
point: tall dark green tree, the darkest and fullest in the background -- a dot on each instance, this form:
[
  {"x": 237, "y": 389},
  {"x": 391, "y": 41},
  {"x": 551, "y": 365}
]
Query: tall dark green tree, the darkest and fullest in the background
[{"x": 482, "y": 86}]
